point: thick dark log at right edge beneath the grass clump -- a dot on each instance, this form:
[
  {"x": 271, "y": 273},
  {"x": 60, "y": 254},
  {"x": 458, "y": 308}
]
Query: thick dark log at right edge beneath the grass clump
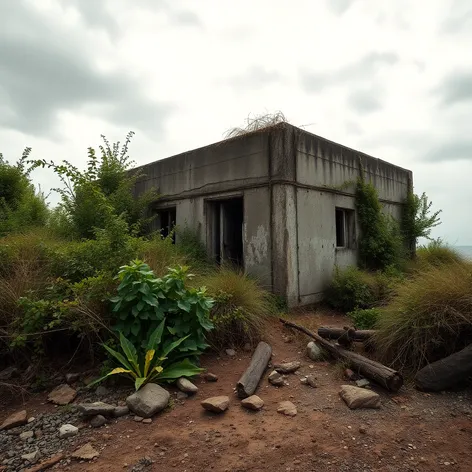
[{"x": 446, "y": 373}]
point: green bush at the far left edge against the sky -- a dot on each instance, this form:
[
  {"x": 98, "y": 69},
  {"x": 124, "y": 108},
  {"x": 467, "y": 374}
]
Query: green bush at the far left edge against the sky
[{"x": 21, "y": 207}]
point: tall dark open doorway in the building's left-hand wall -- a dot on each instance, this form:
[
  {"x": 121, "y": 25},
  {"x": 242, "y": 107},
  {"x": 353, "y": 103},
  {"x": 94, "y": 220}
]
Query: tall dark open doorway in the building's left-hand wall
[{"x": 226, "y": 230}]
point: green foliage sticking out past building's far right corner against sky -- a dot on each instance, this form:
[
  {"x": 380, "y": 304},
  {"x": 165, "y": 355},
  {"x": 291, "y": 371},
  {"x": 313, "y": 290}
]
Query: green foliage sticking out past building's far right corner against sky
[{"x": 417, "y": 219}]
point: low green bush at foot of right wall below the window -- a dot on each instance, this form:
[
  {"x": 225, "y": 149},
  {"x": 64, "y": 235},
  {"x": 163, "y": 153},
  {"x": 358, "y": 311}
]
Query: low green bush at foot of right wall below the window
[{"x": 353, "y": 288}]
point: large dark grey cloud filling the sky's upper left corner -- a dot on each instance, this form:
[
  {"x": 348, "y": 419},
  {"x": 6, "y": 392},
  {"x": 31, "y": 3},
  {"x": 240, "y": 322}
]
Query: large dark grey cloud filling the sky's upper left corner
[{"x": 43, "y": 72}]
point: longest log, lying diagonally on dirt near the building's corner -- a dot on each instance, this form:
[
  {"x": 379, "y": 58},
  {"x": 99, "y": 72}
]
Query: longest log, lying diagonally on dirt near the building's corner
[{"x": 379, "y": 373}]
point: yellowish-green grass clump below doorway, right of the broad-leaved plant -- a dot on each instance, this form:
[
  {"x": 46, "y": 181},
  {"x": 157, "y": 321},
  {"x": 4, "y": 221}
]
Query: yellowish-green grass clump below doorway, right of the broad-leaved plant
[{"x": 241, "y": 308}]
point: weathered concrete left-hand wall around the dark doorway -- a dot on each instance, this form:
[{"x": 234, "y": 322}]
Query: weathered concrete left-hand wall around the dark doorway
[{"x": 234, "y": 168}]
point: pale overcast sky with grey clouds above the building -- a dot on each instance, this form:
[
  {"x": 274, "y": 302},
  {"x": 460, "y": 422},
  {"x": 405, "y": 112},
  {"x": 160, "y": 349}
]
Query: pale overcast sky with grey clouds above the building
[{"x": 392, "y": 79}]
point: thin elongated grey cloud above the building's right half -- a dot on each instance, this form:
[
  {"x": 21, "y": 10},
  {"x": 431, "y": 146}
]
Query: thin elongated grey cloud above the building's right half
[{"x": 368, "y": 66}]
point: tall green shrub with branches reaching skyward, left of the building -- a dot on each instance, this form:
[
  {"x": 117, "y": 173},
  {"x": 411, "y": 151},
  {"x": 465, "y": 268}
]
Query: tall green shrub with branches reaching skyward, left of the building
[{"x": 92, "y": 198}]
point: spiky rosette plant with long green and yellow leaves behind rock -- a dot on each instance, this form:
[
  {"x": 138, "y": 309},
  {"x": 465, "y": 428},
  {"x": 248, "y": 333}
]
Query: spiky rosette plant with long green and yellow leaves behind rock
[{"x": 151, "y": 364}]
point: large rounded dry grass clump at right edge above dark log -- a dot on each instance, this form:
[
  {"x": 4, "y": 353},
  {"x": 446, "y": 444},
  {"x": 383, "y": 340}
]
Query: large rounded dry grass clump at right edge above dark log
[{"x": 430, "y": 318}]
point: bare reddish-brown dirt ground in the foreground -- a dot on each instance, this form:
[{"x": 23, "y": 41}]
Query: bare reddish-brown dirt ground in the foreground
[{"x": 412, "y": 431}]
